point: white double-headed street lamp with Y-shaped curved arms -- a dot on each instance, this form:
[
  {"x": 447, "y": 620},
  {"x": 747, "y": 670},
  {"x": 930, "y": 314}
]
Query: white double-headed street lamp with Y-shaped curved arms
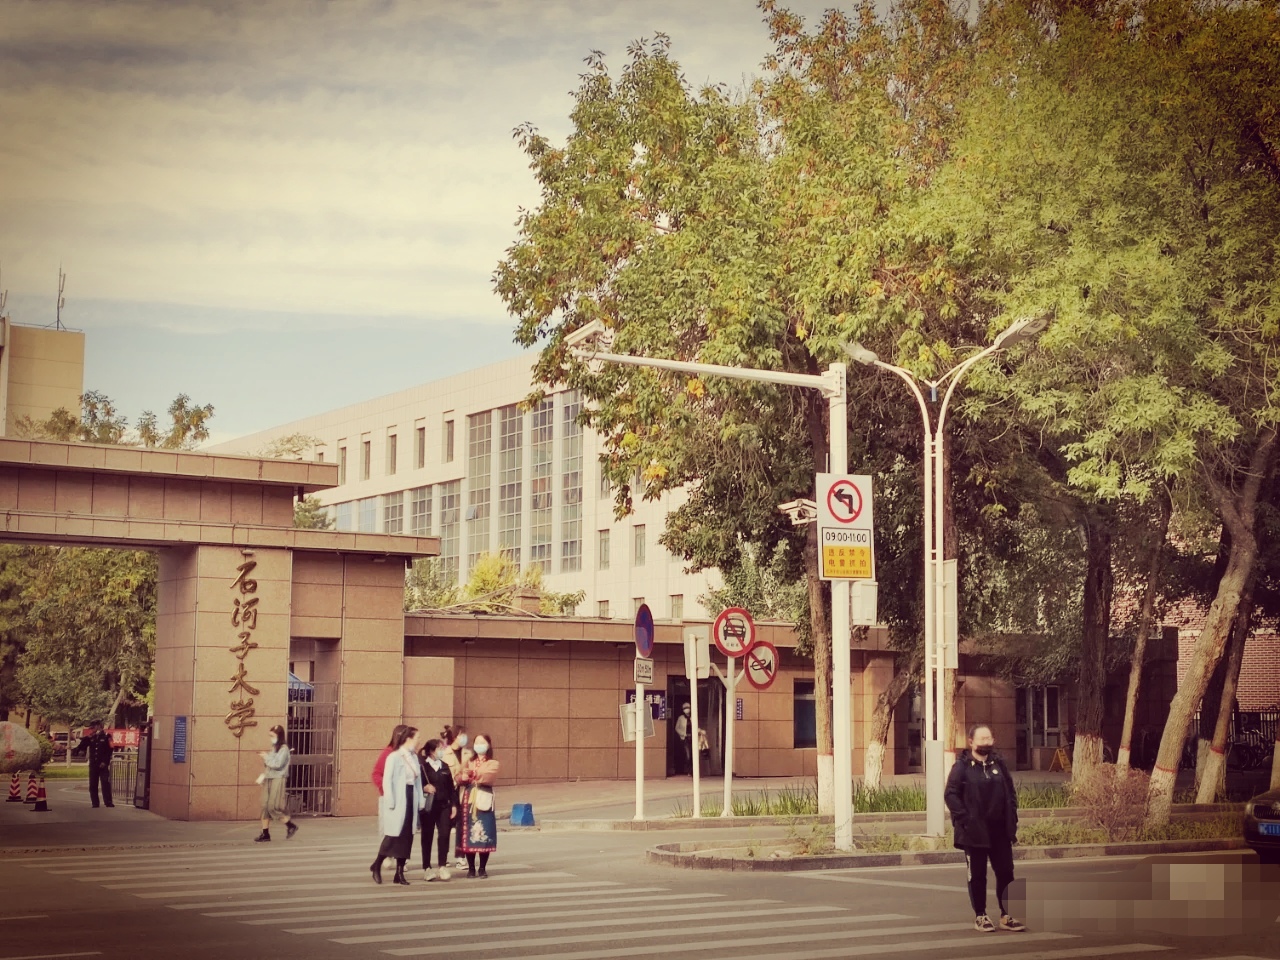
[{"x": 940, "y": 629}]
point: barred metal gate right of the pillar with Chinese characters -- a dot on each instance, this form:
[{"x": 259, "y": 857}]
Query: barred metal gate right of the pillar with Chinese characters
[{"x": 312, "y": 734}]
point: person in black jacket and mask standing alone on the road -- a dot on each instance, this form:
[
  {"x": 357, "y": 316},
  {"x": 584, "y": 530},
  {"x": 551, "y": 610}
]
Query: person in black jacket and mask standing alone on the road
[{"x": 985, "y": 815}]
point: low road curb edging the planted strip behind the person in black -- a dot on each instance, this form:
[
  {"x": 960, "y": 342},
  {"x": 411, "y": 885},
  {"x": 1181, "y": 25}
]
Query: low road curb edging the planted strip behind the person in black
[{"x": 700, "y": 856}]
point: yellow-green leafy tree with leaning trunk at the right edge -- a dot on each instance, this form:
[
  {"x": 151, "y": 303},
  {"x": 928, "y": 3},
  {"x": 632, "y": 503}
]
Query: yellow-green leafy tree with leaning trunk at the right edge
[{"x": 1119, "y": 170}]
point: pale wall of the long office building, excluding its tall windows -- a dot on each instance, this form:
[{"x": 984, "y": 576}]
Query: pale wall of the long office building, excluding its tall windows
[{"x": 618, "y": 580}]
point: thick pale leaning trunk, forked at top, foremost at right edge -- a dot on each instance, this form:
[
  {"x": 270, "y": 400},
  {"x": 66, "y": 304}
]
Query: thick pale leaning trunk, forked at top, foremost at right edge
[{"x": 1238, "y": 511}]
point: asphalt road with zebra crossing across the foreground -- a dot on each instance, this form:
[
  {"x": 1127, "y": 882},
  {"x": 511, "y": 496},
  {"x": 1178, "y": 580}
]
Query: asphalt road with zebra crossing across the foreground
[{"x": 591, "y": 897}]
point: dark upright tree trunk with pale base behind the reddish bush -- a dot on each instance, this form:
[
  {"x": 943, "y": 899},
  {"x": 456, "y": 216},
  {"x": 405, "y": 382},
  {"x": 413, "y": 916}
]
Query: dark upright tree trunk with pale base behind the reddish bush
[{"x": 1099, "y": 584}]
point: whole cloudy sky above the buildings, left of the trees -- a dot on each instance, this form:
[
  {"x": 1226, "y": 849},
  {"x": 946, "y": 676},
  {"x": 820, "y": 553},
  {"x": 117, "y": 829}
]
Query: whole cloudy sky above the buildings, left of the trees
[{"x": 285, "y": 207}]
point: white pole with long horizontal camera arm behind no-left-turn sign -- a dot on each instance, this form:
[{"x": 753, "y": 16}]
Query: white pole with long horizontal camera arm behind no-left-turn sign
[{"x": 831, "y": 385}]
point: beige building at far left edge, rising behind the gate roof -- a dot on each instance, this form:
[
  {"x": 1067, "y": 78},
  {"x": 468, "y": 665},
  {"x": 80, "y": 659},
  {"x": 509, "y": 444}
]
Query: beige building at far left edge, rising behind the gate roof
[{"x": 40, "y": 372}]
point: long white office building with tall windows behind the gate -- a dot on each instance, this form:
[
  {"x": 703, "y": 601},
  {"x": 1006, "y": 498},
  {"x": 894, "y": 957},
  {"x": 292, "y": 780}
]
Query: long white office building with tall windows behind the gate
[{"x": 460, "y": 460}]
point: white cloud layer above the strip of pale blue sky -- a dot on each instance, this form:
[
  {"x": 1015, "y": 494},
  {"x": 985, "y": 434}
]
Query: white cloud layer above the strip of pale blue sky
[{"x": 348, "y": 158}]
